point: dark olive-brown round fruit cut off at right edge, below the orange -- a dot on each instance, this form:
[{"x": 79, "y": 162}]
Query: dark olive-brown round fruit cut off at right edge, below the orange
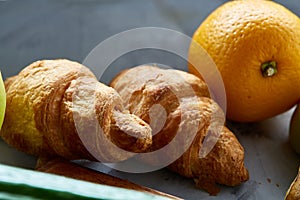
[{"x": 295, "y": 130}]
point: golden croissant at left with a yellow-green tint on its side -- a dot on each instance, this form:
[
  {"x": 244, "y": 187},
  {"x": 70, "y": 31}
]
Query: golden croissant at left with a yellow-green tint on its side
[{"x": 58, "y": 107}]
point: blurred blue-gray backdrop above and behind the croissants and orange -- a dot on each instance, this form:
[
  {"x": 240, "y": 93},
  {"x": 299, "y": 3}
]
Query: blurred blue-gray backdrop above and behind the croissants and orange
[{"x": 38, "y": 29}]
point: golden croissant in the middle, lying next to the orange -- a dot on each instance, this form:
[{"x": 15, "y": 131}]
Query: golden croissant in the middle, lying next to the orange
[{"x": 173, "y": 102}]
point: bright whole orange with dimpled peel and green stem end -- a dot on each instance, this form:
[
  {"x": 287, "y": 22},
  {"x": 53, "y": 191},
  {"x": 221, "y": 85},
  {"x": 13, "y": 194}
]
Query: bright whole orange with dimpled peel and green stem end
[{"x": 256, "y": 47}]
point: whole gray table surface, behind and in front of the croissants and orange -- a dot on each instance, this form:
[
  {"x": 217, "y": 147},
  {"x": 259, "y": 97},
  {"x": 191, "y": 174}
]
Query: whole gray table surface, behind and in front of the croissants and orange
[{"x": 46, "y": 29}]
